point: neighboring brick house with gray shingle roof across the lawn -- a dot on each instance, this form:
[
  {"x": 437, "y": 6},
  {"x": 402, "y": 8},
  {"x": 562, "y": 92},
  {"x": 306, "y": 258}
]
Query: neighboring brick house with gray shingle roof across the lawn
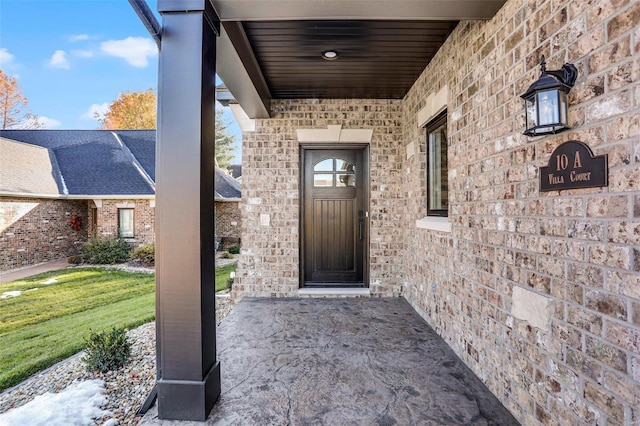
[{"x": 102, "y": 179}]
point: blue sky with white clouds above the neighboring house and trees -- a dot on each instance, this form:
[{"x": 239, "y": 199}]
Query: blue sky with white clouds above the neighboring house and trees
[{"x": 74, "y": 57}]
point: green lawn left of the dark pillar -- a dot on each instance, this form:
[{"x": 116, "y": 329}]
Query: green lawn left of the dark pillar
[{"x": 50, "y": 319}]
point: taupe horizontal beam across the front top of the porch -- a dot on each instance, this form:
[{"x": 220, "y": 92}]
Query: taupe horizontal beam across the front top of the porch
[{"x": 260, "y": 10}]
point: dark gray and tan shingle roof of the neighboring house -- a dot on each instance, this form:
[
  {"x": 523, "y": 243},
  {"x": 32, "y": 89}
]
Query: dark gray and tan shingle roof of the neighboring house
[{"x": 86, "y": 162}]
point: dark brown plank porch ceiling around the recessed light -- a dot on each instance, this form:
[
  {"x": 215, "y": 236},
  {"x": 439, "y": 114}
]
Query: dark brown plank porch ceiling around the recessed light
[{"x": 377, "y": 58}]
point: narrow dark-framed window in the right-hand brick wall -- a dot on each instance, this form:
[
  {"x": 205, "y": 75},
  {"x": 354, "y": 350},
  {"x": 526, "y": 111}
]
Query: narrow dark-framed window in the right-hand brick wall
[{"x": 437, "y": 167}]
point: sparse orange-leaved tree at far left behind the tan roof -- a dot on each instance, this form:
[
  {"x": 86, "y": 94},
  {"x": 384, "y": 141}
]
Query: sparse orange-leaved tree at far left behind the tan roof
[{"x": 14, "y": 111}]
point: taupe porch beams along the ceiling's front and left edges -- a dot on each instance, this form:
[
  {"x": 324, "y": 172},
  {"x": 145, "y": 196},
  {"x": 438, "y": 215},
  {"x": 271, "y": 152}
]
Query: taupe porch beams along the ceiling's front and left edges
[{"x": 236, "y": 63}]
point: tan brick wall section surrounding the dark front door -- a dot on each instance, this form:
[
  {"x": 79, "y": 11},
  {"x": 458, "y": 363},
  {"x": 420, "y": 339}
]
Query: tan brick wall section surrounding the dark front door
[{"x": 270, "y": 259}]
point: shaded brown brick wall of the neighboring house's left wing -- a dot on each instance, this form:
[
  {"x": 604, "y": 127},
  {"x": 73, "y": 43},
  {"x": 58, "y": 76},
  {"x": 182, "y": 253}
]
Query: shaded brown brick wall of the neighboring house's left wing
[{"x": 36, "y": 230}]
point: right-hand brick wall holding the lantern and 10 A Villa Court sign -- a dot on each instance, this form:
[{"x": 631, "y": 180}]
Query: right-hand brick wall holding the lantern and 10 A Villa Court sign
[{"x": 575, "y": 250}]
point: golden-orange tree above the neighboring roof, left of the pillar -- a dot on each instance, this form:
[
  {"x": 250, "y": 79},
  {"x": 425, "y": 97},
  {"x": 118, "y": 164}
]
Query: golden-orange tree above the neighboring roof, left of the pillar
[{"x": 132, "y": 110}]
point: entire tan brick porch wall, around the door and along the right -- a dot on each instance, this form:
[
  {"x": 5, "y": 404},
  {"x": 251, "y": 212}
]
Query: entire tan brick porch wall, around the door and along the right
[{"x": 573, "y": 254}]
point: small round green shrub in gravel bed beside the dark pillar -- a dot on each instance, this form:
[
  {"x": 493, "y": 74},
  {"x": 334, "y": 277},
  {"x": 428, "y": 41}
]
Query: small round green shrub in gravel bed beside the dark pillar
[{"x": 107, "y": 351}]
